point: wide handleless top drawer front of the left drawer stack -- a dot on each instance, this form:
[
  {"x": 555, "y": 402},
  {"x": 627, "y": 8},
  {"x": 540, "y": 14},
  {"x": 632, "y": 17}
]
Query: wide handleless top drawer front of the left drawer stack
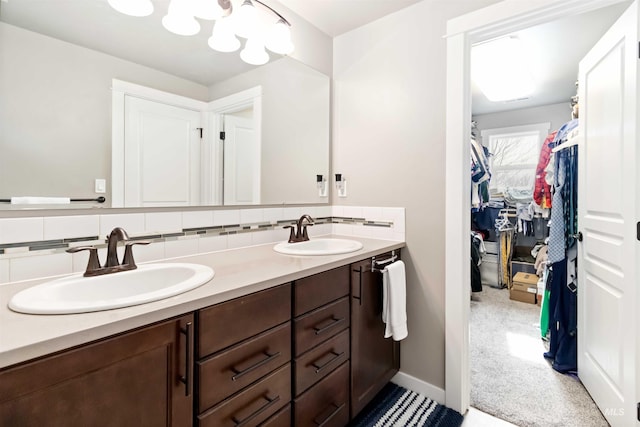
[{"x": 230, "y": 322}]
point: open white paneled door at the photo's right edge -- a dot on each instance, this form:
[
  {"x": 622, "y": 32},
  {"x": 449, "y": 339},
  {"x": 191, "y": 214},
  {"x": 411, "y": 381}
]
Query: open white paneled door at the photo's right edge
[{"x": 607, "y": 183}]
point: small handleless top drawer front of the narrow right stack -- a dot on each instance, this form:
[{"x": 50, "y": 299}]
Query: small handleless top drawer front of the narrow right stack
[{"x": 317, "y": 290}]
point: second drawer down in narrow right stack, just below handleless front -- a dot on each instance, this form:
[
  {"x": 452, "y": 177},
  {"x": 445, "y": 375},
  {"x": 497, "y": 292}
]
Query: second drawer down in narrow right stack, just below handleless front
[{"x": 321, "y": 324}]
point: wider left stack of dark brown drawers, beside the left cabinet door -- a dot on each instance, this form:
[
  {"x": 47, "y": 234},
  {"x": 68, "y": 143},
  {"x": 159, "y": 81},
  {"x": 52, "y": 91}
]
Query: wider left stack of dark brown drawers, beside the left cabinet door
[{"x": 243, "y": 369}]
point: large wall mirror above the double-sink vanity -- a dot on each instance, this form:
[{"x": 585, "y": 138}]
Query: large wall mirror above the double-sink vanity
[{"x": 58, "y": 64}]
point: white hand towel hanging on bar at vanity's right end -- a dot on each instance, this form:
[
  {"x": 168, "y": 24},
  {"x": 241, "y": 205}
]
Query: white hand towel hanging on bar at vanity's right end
[{"x": 394, "y": 301}]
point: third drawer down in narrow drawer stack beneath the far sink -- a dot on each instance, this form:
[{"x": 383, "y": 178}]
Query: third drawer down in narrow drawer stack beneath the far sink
[{"x": 320, "y": 361}]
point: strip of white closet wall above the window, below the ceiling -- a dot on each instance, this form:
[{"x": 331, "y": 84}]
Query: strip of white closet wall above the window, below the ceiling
[{"x": 556, "y": 114}]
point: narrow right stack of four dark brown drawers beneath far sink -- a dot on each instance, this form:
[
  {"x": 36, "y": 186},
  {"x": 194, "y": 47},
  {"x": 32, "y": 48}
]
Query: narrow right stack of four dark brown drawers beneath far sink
[{"x": 322, "y": 350}]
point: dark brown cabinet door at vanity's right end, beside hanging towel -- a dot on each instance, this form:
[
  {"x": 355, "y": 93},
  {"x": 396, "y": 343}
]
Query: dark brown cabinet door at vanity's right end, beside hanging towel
[{"x": 374, "y": 359}]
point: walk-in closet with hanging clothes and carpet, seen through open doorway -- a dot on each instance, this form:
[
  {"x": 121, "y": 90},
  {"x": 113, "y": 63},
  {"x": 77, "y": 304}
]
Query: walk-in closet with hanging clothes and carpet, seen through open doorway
[{"x": 525, "y": 233}]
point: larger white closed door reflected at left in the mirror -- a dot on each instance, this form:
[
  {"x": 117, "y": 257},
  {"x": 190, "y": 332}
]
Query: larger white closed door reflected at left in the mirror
[{"x": 162, "y": 154}]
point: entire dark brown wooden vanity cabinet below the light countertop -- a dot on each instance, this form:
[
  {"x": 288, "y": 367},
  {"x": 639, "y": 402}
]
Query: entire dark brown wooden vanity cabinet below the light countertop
[{"x": 307, "y": 353}]
